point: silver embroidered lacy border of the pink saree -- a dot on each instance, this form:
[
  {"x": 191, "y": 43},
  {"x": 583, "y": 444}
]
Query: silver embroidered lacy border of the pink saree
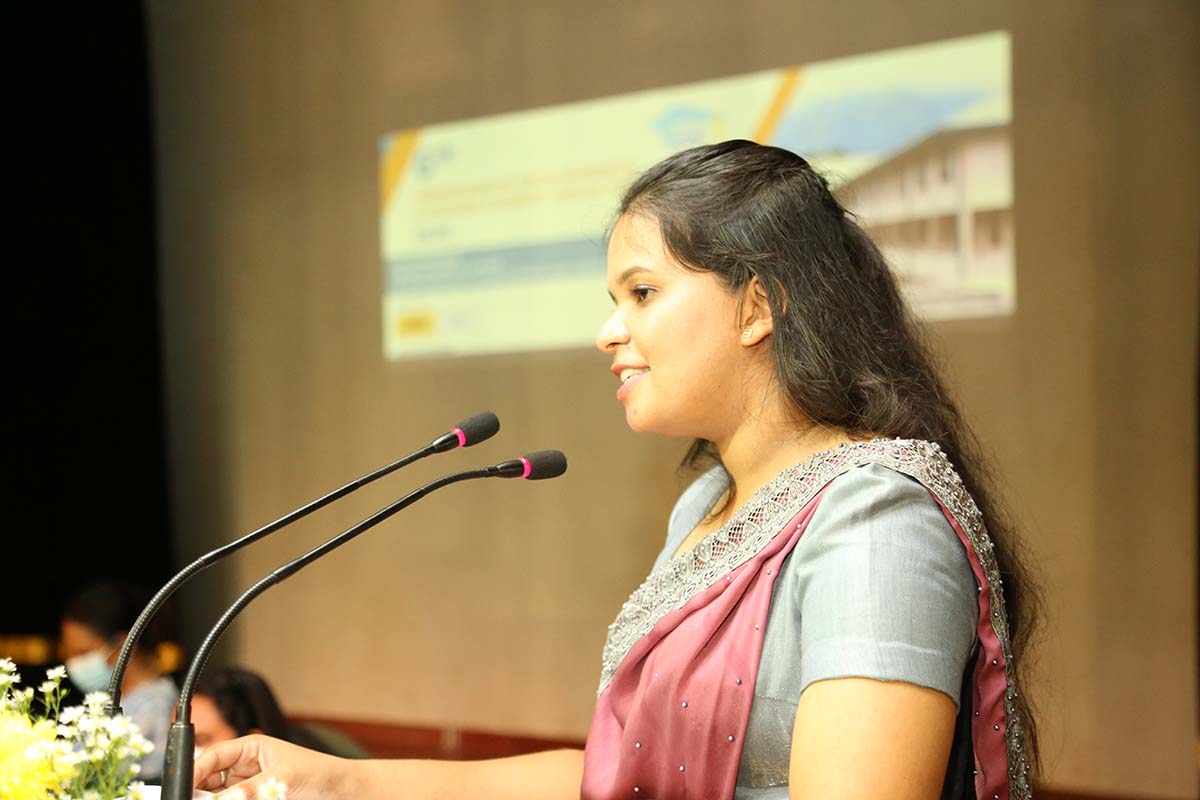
[{"x": 754, "y": 525}]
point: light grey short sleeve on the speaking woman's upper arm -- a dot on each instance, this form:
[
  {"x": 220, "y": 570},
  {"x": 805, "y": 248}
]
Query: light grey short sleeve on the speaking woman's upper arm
[{"x": 884, "y": 588}]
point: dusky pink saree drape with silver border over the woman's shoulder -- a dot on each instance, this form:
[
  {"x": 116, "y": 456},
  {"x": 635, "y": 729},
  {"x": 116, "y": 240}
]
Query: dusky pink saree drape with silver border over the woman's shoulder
[{"x": 683, "y": 655}]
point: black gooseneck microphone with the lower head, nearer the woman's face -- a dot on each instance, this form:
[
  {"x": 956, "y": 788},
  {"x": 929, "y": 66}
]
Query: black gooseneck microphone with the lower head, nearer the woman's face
[{"x": 181, "y": 759}]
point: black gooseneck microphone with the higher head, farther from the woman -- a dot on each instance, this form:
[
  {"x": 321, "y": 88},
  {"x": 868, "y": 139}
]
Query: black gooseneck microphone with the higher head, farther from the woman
[{"x": 470, "y": 432}]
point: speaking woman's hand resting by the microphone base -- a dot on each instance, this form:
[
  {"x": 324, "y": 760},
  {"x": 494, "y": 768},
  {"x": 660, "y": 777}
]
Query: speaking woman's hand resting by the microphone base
[{"x": 253, "y": 761}]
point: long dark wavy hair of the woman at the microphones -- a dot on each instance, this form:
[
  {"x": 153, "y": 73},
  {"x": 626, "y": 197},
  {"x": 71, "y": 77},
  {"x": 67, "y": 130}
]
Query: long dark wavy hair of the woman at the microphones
[{"x": 848, "y": 353}]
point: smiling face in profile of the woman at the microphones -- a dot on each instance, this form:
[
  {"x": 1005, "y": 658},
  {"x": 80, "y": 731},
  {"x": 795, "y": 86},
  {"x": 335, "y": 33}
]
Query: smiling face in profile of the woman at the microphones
[{"x": 674, "y": 339}]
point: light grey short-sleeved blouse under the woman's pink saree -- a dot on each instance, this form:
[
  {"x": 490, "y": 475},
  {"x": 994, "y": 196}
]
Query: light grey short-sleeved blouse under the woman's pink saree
[{"x": 879, "y": 587}]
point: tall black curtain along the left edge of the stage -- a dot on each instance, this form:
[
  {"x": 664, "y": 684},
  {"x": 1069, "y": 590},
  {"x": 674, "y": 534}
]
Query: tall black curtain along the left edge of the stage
[{"x": 86, "y": 468}]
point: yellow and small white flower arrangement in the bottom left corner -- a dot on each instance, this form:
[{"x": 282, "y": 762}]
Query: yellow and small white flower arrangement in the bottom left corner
[{"x": 73, "y": 754}]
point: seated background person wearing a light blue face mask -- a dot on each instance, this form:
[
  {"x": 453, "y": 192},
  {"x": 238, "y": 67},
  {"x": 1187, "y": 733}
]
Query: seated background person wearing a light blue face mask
[{"x": 94, "y": 628}]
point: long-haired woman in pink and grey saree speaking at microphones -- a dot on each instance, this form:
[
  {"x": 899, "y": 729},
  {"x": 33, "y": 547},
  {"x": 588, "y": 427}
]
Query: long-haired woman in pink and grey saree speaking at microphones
[{"x": 837, "y": 611}]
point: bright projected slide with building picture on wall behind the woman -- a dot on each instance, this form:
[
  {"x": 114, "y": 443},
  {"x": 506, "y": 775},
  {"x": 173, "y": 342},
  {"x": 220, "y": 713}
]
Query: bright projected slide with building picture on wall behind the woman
[{"x": 493, "y": 230}]
